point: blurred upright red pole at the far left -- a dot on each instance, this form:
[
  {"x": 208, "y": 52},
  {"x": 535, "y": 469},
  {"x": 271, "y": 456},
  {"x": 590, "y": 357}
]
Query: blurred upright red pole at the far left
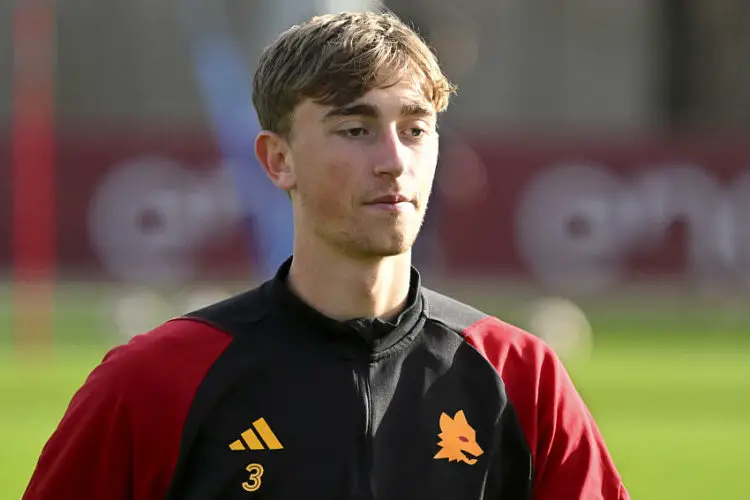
[{"x": 33, "y": 170}]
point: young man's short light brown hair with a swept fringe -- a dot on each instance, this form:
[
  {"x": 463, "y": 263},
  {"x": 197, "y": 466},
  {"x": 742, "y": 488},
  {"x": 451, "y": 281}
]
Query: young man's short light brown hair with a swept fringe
[{"x": 336, "y": 59}]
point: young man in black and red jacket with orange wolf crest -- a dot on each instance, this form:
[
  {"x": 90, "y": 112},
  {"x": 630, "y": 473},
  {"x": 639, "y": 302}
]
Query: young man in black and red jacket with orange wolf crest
[{"x": 341, "y": 378}]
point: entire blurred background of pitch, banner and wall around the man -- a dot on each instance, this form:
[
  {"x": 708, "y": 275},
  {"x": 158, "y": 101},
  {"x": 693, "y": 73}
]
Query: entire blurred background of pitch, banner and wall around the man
[{"x": 593, "y": 187}]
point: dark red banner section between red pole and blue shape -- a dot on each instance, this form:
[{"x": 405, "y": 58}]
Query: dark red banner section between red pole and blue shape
[{"x": 128, "y": 209}]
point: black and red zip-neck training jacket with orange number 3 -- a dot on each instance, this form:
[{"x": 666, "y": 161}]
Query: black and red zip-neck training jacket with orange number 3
[{"x": 261, "y": 396}]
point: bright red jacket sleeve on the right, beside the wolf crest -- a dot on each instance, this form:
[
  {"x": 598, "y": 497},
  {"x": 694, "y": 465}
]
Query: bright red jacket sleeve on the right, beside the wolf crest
[{"x": 571, "y": 461}]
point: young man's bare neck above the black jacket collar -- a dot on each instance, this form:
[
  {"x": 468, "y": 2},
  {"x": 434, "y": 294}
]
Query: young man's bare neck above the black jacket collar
[{"x": 343, "y": 288}]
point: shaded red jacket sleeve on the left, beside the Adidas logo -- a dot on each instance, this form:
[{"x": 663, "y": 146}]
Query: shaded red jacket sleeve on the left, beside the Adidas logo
[{"x": 120, "y": 436}]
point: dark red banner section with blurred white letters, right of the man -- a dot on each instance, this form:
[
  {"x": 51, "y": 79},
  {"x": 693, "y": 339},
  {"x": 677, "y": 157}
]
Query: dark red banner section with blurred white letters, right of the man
[{"x": 591, "y": 214}]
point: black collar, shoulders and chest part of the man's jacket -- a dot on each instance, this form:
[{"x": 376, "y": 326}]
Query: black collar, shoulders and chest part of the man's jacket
[{"x": 357, "y": 405}]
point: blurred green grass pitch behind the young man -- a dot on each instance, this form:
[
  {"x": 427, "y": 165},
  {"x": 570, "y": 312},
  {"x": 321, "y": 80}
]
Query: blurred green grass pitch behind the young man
[{"x": 668, "y": 384}]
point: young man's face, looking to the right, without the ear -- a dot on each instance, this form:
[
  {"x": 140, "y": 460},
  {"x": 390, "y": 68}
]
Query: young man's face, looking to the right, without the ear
[{"x": 363, "y": 172}]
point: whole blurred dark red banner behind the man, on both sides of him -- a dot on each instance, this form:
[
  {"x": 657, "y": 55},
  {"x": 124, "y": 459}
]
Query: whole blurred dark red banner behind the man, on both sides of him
[{"x": 570, "y": 213}]
